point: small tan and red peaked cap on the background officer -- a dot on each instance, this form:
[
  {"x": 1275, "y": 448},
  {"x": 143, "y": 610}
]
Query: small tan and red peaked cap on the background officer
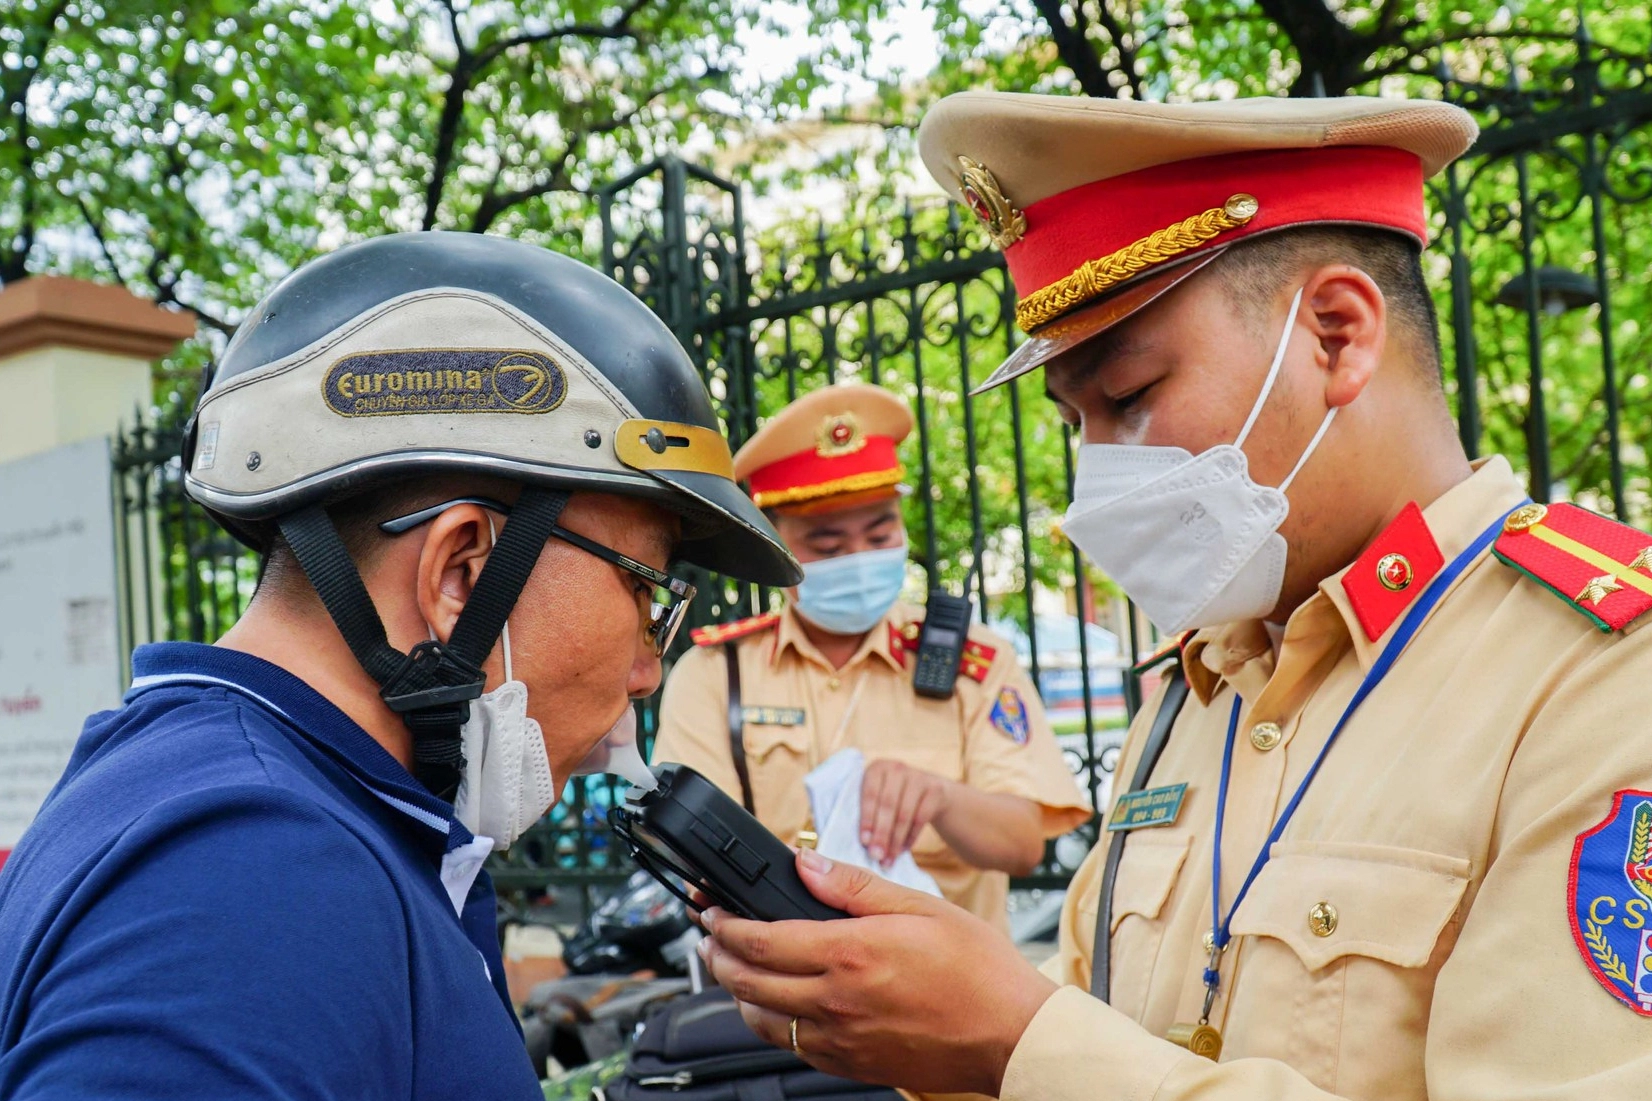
[{"x": 830, "y": 449}]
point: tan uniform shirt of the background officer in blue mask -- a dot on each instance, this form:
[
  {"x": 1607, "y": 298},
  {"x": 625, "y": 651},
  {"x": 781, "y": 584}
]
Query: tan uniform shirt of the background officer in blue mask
[{"x": 810, "y": 705}]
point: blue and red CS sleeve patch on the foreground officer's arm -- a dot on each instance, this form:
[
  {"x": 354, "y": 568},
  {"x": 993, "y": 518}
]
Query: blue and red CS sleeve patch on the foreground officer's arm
[{"x": 1610, "y": 900}]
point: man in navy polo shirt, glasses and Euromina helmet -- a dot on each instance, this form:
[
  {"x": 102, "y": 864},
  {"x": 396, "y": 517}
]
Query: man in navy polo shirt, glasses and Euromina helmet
[{"x": 468, "y": 464}]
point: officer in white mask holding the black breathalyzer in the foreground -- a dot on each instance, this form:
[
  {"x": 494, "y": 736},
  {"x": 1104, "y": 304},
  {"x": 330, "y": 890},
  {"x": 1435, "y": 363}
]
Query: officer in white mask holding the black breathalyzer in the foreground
[{"x": 1389, "y": 826}]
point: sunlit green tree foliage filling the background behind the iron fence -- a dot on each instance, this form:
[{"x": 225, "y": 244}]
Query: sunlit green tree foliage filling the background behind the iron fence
[{"x": 196, "y": 151}]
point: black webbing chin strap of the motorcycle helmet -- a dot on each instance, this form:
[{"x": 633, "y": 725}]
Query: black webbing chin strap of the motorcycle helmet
[{"x": 434, "y": 685}]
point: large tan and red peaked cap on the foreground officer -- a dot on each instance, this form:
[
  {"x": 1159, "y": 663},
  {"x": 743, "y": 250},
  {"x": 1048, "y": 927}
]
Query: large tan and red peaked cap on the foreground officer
[{"x": 1103, "y": 206}]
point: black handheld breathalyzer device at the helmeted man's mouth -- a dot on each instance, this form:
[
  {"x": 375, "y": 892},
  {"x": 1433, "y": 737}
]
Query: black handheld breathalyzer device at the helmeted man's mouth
[{"x": 688, "y": 829}]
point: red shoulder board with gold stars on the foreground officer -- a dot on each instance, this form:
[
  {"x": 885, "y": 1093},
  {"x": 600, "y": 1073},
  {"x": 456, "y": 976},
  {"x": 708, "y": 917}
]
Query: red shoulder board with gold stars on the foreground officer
[{"x": 1595, "y": 565}]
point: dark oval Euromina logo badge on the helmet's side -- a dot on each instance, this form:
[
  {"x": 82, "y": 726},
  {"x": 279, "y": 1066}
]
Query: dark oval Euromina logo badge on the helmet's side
[{"x": 444, "y": 381}]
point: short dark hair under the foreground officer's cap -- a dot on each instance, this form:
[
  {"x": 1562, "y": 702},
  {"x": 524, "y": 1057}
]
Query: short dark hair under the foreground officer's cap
[{"x": 1255, "y": 272}]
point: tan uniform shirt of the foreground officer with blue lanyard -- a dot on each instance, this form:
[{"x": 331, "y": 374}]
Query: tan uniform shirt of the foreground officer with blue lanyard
[{"x": 1441, "y": 831}]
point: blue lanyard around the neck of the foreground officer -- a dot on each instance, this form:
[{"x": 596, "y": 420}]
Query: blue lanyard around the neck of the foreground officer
[{"x": 1380, "y": 669}]
